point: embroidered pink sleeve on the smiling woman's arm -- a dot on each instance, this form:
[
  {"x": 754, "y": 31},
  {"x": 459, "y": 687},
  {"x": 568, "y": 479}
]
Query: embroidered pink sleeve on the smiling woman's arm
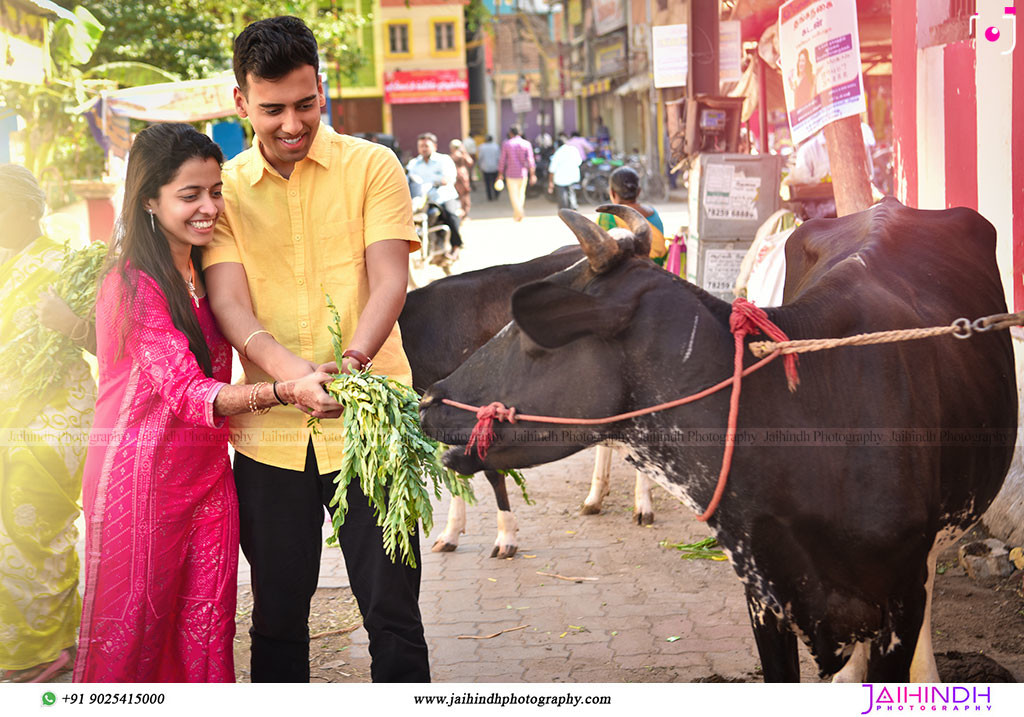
[{"x": 162, "y": 353}]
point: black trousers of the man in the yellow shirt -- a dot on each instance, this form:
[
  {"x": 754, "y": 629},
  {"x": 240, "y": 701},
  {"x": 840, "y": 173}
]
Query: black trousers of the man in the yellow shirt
[{"x": 282, "y": 514}]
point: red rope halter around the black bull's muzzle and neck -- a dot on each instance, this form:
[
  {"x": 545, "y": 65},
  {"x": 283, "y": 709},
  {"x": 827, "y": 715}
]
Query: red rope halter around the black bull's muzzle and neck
[{"x": 746, "y": 319}]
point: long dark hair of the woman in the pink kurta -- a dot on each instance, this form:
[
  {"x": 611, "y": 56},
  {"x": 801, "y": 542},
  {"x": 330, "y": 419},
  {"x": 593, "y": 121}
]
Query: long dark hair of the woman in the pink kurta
[{"x": 157, "y": 155}]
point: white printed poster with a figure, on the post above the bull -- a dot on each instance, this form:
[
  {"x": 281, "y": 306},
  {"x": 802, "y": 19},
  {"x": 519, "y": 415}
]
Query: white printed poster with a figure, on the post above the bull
[{"x": 821, "y": 58}]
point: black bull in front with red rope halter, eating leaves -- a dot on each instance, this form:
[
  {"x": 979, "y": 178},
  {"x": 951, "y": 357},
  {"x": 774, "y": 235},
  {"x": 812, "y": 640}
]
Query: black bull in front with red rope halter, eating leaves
[{"x": 834, "y": 538}]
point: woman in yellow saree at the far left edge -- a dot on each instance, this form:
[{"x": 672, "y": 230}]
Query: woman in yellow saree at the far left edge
[{"x": 45, "y": 439}]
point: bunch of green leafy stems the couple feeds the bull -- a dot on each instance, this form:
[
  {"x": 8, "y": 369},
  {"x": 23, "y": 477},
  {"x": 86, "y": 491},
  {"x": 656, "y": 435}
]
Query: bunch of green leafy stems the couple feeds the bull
[{"x": 387, "y": 451}]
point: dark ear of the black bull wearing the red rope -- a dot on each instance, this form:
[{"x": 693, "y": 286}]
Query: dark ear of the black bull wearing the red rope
[{"x": 553, "y": 316}]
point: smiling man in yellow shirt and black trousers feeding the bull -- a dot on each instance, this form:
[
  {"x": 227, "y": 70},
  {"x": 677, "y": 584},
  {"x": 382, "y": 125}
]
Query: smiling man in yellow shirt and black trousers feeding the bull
[{"x": 310, "y": 212}]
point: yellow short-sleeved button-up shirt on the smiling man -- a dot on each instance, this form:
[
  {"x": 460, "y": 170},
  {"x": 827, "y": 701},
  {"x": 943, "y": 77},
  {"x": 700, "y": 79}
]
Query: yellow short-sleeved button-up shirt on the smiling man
[{"x": 297, "y": 239}]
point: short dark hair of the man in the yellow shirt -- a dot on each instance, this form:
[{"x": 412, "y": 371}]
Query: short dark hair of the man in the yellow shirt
[{"x": 271, "y": 49}]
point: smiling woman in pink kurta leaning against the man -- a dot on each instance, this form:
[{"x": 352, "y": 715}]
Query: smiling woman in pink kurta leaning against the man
[{"x": 158, "y": 490}]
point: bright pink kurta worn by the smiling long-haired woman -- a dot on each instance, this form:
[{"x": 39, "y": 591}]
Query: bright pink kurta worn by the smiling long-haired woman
[{"x": 162, "y": 520}]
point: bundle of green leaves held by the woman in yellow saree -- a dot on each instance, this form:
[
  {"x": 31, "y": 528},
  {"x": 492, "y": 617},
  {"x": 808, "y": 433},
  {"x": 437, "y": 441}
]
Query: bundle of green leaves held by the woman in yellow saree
[{"x": 38, "y": 359}]
